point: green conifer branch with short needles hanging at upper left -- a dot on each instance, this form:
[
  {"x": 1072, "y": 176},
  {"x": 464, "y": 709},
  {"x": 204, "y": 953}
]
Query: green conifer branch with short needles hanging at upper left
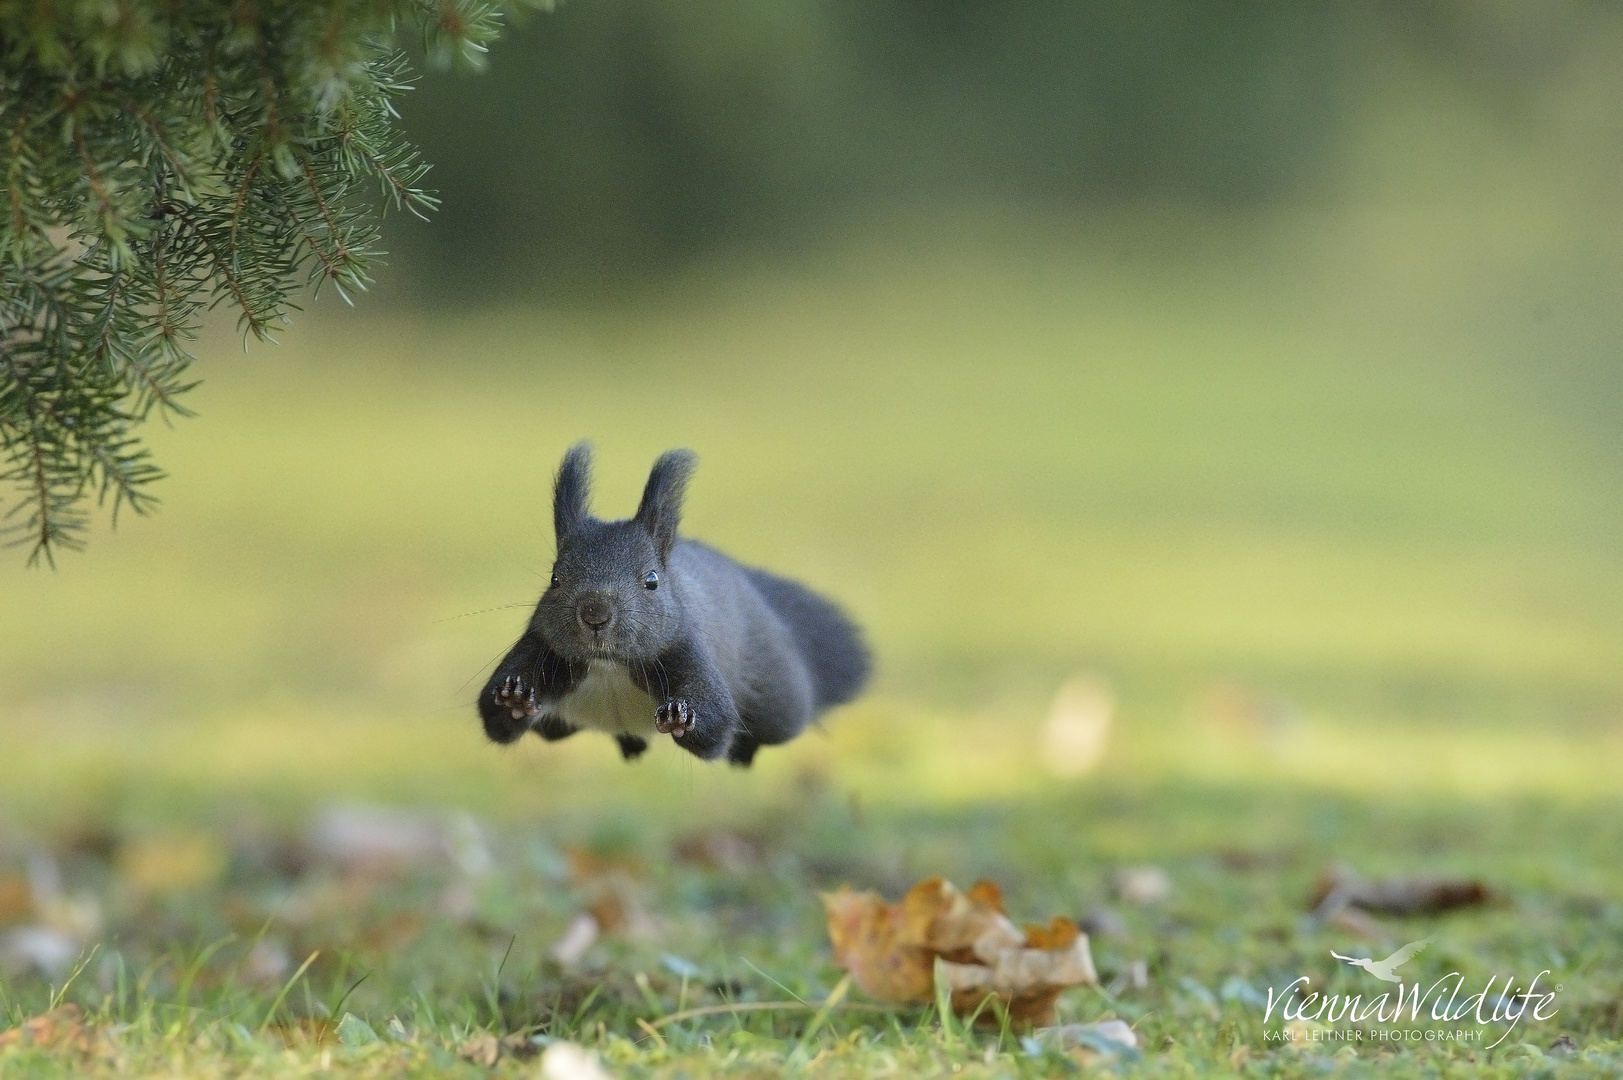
[{"x": 145, "y": 183}]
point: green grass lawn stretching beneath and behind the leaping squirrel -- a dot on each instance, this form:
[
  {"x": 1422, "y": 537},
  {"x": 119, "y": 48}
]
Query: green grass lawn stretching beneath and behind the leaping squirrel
[{"x": 1377, "y": 514}]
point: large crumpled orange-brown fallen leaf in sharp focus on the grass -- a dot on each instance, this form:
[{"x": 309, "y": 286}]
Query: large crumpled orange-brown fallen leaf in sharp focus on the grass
[{"x": 895, "y": 951}]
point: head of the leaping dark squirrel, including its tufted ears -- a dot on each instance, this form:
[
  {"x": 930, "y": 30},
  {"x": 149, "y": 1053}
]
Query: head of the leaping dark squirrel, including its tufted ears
[{"x": 611, "y": 594}]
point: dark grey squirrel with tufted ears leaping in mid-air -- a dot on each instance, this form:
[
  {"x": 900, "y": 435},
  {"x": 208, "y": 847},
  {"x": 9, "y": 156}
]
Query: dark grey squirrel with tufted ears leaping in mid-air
[{"x": 642, "y": 633}]
